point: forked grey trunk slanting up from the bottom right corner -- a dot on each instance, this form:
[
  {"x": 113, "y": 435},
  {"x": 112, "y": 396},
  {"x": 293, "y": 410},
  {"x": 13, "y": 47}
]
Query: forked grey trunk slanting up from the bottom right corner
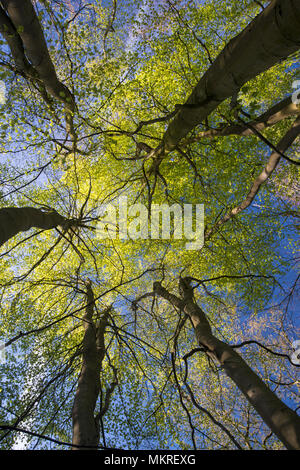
[{"x": 282, "y": 421}]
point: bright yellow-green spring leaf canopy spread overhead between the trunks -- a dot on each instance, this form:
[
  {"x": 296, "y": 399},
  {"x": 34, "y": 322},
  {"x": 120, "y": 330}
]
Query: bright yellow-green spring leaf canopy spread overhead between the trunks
[{"x": 151, "y": 63}]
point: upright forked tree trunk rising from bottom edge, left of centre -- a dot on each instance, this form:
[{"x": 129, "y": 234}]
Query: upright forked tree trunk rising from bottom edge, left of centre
[{"x": 85, "y": 424}]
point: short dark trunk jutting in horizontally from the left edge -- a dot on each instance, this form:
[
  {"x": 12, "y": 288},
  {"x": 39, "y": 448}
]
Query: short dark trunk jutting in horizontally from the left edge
[{"x": 20, "y": 219}]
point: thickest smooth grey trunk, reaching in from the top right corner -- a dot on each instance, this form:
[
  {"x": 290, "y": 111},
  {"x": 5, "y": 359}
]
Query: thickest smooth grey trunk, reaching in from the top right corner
[{"x": 270, "y": 38}]
